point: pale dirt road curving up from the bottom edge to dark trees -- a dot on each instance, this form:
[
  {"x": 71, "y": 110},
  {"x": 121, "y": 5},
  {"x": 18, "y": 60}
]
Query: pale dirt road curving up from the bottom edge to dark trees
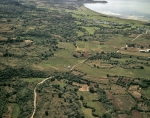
[{"x": 35, "y": 94}]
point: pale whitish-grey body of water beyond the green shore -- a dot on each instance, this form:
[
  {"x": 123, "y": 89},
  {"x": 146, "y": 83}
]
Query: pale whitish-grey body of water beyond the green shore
[{"x": 129, "y": 9}]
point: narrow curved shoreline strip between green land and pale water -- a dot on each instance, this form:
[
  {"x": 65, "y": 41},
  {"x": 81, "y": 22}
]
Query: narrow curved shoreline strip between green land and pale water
[{"x": 109, "y": 16}]
